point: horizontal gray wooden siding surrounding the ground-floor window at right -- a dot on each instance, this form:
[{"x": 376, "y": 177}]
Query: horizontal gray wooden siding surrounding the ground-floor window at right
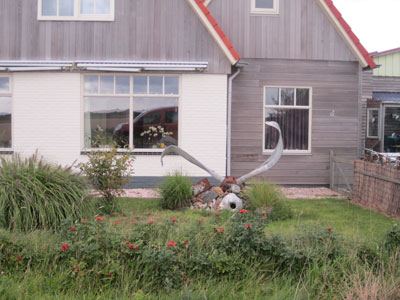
[{"x": 335, "y": 87}]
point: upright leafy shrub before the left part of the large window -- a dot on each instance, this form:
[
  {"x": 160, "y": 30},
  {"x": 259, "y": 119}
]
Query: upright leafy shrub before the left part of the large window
[{"x": 107, "y": 171}]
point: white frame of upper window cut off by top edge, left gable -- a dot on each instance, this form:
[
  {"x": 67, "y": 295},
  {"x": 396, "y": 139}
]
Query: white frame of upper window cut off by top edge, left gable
[{"x": 78, "y": 16}]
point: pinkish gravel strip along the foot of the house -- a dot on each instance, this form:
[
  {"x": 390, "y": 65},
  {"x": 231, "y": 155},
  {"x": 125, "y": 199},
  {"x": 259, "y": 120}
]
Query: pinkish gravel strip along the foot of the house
[{"x": 292, "y": 193}]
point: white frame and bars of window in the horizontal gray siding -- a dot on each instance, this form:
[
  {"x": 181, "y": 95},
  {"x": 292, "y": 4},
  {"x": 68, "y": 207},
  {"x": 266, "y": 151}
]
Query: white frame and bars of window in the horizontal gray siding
[{"x": 309, "y": 107}]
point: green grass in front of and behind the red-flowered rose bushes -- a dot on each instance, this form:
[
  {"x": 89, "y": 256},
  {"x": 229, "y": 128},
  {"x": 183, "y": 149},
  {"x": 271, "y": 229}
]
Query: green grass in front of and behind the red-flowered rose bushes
[{"x": 355, "y": 224}]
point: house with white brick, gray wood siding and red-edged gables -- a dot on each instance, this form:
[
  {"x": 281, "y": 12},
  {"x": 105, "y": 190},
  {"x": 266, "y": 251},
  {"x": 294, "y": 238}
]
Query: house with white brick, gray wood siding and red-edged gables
[{"x": 206, "y": 75}]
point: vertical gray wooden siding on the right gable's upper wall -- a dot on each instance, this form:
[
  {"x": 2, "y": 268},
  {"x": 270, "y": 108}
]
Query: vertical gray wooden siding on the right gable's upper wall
[{"x": 300, "y": 31}]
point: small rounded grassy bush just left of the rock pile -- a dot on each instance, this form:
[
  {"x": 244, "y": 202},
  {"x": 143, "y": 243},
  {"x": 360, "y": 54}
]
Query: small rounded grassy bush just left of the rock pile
[{"x": 176, "y": 191}]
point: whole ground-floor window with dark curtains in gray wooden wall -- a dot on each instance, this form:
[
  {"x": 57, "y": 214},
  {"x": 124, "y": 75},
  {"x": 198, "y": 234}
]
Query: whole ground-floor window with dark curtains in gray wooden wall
[{"x": 290, "y": 107}]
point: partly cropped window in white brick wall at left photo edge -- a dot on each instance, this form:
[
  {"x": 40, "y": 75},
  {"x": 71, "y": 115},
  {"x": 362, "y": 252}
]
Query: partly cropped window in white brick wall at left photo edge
[{"x": 5, "y": 112}]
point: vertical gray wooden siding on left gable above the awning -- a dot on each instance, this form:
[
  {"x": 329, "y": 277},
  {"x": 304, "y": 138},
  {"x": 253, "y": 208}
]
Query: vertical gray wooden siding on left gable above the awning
[{"x": 143, "y": 30}]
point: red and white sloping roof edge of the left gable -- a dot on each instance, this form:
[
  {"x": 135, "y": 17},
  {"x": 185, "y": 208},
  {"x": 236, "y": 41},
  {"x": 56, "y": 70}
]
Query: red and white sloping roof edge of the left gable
[{"x": 215, "y": 30}]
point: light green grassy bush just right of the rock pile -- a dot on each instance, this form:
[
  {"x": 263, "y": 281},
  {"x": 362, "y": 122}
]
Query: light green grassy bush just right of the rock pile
[{"x": 269, "y": 197}]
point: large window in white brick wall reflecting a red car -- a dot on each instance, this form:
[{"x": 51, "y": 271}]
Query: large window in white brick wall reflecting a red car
[{"x": 132, "y": 111}]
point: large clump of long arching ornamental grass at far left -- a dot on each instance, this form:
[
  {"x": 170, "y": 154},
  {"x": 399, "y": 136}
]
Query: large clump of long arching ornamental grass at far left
[{"x": 37, "y": 195}]
